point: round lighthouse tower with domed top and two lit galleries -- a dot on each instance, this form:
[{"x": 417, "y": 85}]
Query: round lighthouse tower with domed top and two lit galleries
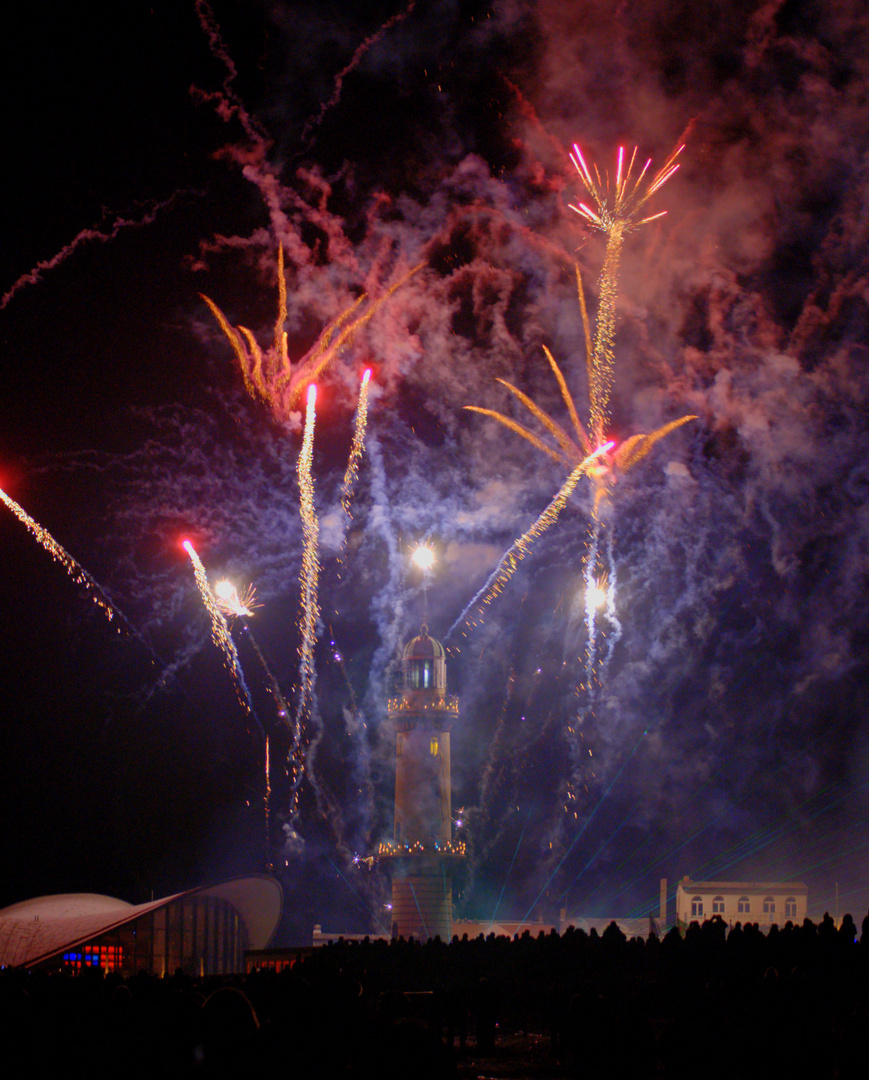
[{"x": 424, "y": 852}]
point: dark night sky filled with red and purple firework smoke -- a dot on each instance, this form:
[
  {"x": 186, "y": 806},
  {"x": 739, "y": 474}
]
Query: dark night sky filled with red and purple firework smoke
[{"x": 158, "y": 152}]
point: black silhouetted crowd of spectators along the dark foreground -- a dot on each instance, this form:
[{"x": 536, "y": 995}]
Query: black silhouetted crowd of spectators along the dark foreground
[{"x": 724, "y": 1003}]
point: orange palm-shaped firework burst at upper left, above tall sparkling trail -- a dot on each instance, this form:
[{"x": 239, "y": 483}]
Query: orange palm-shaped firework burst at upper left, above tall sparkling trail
[{"x": 270, "y": 375}]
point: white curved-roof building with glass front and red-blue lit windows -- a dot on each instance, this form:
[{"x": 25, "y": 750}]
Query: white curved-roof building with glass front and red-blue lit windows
[{"x": 203, "y": 931}]
